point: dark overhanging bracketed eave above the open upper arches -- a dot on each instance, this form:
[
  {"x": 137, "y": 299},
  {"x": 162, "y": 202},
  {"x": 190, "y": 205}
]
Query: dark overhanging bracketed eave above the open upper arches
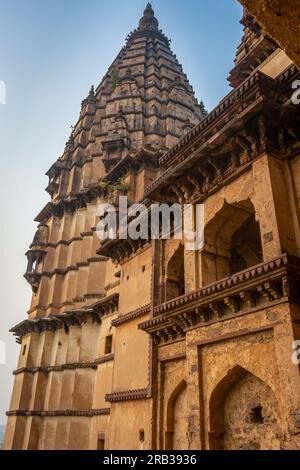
[{"x": 228, "y": 139}]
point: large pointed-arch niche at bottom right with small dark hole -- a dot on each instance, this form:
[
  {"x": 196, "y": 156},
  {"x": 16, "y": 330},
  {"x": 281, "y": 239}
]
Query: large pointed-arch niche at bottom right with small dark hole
[{"x": 244, "y": 414}]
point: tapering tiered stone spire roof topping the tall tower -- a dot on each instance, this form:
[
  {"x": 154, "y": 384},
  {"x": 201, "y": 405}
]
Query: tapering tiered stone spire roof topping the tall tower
[{"x": 143, "y": 102}]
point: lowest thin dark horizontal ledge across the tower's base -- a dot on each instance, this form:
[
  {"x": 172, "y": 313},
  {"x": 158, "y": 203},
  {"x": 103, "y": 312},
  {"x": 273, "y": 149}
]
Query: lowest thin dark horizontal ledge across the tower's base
[{"x": 59, "y": 413}]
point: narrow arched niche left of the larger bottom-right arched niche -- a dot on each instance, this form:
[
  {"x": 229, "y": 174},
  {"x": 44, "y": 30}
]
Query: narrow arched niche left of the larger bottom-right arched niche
[{"x": 176, "y": 420}]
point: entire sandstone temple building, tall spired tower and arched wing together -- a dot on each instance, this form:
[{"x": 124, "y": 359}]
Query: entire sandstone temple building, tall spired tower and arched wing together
[{"x": 148, "y": 344}]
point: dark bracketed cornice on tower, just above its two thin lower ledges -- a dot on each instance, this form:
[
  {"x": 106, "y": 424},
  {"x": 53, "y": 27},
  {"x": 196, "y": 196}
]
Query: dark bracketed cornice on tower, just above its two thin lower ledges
[{"x": 78, "y": 317}]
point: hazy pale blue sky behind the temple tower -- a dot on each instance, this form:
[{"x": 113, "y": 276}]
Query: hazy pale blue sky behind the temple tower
[{"x": 51, "y": 52}]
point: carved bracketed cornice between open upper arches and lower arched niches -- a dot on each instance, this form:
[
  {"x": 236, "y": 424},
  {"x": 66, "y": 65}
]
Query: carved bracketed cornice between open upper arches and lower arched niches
[{"x": 271, "y": 281}]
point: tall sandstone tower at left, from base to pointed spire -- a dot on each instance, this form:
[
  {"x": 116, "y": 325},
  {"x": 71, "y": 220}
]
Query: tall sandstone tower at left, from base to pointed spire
[{"x": 77, "y": 373}]
